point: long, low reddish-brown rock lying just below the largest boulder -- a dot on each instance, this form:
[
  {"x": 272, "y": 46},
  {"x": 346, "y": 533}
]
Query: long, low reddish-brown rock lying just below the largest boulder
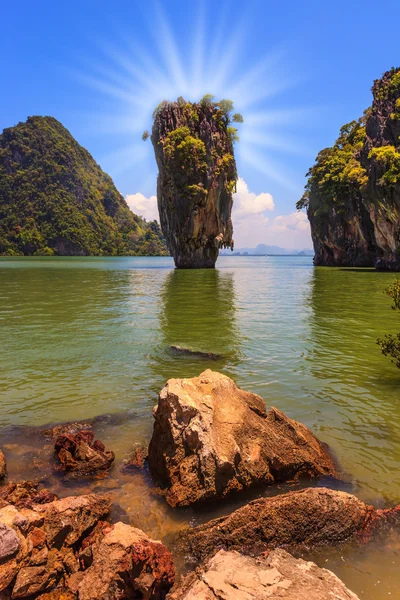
[{"x": 312, "y": 517}]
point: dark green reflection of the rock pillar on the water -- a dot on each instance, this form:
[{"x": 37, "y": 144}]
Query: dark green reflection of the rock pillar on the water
[{"x": 198, "y": 314}]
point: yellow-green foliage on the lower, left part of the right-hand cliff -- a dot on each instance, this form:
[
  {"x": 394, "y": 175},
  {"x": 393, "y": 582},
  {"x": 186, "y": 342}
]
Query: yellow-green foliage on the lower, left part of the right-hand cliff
[{"x": 337, "y": 172}]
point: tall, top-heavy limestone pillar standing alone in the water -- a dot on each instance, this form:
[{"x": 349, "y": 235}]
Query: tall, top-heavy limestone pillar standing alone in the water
[{"x": 197, "y": 175}]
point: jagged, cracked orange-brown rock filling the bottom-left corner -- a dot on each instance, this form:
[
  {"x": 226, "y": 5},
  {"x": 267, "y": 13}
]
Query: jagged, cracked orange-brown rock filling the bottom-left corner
[{"x": 38, "y": 544}]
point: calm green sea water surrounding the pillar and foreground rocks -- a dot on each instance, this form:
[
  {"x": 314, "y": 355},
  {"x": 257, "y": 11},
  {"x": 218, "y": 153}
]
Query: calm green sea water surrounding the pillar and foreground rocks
[{"x": 81, "y": 337}]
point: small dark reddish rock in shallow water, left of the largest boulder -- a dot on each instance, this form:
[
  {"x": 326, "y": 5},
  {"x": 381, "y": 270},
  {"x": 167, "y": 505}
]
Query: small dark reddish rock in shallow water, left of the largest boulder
[{"x": 81, "y": 456}]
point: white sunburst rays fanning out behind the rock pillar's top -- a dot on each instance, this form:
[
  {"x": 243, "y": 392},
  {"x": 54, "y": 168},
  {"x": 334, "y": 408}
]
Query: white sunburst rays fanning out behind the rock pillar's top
[{"x": 133, "y": 80}]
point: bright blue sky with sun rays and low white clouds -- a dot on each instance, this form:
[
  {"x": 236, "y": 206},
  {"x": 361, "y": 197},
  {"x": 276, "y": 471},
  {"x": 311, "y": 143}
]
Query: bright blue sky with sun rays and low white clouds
[{"x": 296, "y": 71}]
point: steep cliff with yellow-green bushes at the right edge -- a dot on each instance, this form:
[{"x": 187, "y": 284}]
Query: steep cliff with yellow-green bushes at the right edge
[{"x": 353, "y": 191}]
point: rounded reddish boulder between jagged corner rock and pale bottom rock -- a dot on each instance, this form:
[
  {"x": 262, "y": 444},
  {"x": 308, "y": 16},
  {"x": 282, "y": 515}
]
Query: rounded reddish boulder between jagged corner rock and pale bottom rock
[{"x": 125, "y": 563}]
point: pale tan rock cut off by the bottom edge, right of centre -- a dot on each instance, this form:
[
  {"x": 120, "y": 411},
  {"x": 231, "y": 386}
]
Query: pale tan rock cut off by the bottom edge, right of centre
[{"x": 232, "y": 576}]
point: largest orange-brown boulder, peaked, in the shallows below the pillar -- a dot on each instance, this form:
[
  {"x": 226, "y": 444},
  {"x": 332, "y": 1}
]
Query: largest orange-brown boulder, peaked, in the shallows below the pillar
[{"x": 211, "y": 438}]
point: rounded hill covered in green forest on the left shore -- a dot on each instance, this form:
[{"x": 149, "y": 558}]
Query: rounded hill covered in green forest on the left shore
[{"x": 55, "y": 199}]
